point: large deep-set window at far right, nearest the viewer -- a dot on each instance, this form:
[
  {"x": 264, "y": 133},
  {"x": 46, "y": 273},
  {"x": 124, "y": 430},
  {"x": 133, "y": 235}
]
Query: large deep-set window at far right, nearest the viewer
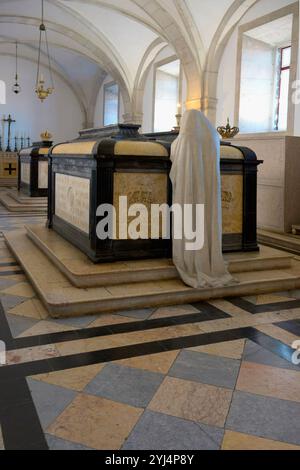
[{"x": 265, "y": 76}]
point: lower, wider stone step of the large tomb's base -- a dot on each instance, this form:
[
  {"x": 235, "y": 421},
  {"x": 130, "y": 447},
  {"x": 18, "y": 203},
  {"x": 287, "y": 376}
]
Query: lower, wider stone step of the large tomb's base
[{"x": 62, "y": 299}]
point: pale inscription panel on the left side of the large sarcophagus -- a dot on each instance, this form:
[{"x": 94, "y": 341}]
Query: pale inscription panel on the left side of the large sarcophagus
[{"x": 72, "y": 200}]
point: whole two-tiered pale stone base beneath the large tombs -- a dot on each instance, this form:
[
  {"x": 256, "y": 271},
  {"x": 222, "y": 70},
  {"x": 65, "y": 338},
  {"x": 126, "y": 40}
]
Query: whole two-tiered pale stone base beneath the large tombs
[{"x": 54, "y": 267}]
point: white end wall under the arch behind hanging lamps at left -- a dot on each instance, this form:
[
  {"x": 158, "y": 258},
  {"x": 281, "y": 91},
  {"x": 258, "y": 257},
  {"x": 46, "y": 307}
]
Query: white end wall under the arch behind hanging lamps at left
[{"x": 60, "y": 113}]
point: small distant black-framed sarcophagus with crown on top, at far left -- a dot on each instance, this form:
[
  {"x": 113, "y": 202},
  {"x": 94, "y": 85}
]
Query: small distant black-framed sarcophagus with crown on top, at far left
[{"x": 33, "y": 169}]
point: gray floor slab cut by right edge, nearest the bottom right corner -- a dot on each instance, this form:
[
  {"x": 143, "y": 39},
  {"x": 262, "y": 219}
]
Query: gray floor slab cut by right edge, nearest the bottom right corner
[{"x": 265, "y": 417}]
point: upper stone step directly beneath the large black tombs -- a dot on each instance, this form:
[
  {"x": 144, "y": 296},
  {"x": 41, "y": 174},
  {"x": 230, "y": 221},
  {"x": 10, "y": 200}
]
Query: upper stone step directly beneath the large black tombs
[{"x": 81, "y": 272}]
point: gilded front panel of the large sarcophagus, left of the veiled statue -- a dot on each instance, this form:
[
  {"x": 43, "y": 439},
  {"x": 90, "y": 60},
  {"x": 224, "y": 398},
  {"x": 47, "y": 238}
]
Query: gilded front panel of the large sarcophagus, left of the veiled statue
[{"x": 140, "y": 188}]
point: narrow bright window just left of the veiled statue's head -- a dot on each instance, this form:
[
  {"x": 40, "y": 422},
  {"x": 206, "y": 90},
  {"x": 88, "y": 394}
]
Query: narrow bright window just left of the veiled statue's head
[{"x": 167, "y": 96}]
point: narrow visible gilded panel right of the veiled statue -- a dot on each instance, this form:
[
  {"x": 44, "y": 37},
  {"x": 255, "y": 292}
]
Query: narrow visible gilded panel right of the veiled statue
[{"x": 232, "y": 203}]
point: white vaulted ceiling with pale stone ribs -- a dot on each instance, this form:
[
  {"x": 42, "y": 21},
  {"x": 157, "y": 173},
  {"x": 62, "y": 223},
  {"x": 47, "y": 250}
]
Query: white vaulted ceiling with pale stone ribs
[{"x": 90, "y": 38}]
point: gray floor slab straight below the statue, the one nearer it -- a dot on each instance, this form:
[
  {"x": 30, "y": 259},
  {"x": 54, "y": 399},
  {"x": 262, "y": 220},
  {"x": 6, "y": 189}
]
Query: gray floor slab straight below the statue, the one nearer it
[{"x": 206, "y": 368}]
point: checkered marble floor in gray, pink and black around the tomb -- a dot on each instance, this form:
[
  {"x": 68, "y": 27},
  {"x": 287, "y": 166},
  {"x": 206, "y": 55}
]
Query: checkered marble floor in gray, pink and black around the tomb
[{"x": 212, "y": 375}]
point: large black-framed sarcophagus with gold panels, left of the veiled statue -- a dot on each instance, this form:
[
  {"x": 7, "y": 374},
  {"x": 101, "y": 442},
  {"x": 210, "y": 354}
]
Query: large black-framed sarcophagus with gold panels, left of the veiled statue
[{"x": 99, "y": 168}]
